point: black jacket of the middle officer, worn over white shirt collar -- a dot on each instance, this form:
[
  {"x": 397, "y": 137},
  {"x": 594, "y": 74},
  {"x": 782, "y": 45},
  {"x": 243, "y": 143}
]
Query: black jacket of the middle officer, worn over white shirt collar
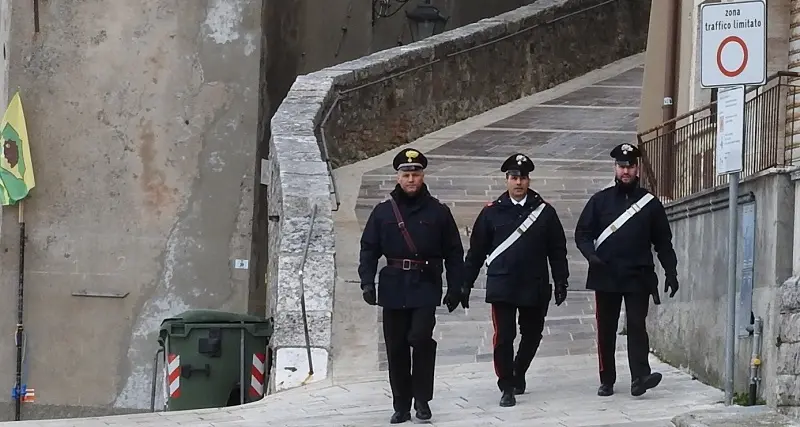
[{"x": 519, "y": 275}]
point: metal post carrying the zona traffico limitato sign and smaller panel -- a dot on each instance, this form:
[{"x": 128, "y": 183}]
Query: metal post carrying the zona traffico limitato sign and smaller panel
[{"x": 733, "y": 53}]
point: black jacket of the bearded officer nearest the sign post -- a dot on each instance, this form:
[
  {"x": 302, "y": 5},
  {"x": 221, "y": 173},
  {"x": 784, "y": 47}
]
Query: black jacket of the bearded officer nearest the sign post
[{"x": 627, "y": 252}]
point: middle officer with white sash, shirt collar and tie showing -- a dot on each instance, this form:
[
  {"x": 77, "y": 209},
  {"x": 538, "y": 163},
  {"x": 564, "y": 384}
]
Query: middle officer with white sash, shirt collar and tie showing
[{"x": 515, "y": 236}]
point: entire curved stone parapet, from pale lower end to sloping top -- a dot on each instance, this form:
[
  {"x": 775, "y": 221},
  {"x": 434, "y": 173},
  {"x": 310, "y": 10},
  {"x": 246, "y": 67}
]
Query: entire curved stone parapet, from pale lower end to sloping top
[{"x": 367, "y": 106}]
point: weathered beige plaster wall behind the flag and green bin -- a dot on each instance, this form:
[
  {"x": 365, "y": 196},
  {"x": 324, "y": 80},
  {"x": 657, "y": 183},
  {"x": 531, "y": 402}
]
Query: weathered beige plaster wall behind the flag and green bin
[{"x": 142, "y": 118}]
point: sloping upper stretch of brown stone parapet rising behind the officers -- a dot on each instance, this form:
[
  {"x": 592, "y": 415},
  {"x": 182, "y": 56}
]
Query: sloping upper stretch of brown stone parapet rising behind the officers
[{"x": 443, "y": 82}]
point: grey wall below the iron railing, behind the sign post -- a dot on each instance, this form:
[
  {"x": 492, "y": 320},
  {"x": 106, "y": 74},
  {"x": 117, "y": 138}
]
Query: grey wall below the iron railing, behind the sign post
[{"x": 689, "y": 330}]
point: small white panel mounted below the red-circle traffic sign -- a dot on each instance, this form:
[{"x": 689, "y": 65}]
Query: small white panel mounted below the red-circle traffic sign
[{"x": 730, "y": 129}]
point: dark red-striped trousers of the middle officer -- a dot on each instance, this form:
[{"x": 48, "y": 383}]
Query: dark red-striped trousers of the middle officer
[{"x": 511, "y": 370}]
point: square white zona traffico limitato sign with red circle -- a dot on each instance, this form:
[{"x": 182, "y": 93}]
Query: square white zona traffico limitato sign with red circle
[{"x": 733, "y": 43}]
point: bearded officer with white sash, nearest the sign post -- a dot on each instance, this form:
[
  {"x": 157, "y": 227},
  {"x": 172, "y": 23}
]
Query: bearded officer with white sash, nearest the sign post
[{"x": 615, "y": 232}]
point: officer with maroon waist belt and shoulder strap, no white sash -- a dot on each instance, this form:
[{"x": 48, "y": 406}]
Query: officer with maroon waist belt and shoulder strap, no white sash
[{"x": 419, "y": 238}]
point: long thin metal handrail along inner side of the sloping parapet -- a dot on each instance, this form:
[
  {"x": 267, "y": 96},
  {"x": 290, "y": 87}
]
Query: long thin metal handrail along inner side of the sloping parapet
[{"x": 341, "y": 93}]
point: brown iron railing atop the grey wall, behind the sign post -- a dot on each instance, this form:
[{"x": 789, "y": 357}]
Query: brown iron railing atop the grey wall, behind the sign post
[{"x": 679, "y": 157}]
